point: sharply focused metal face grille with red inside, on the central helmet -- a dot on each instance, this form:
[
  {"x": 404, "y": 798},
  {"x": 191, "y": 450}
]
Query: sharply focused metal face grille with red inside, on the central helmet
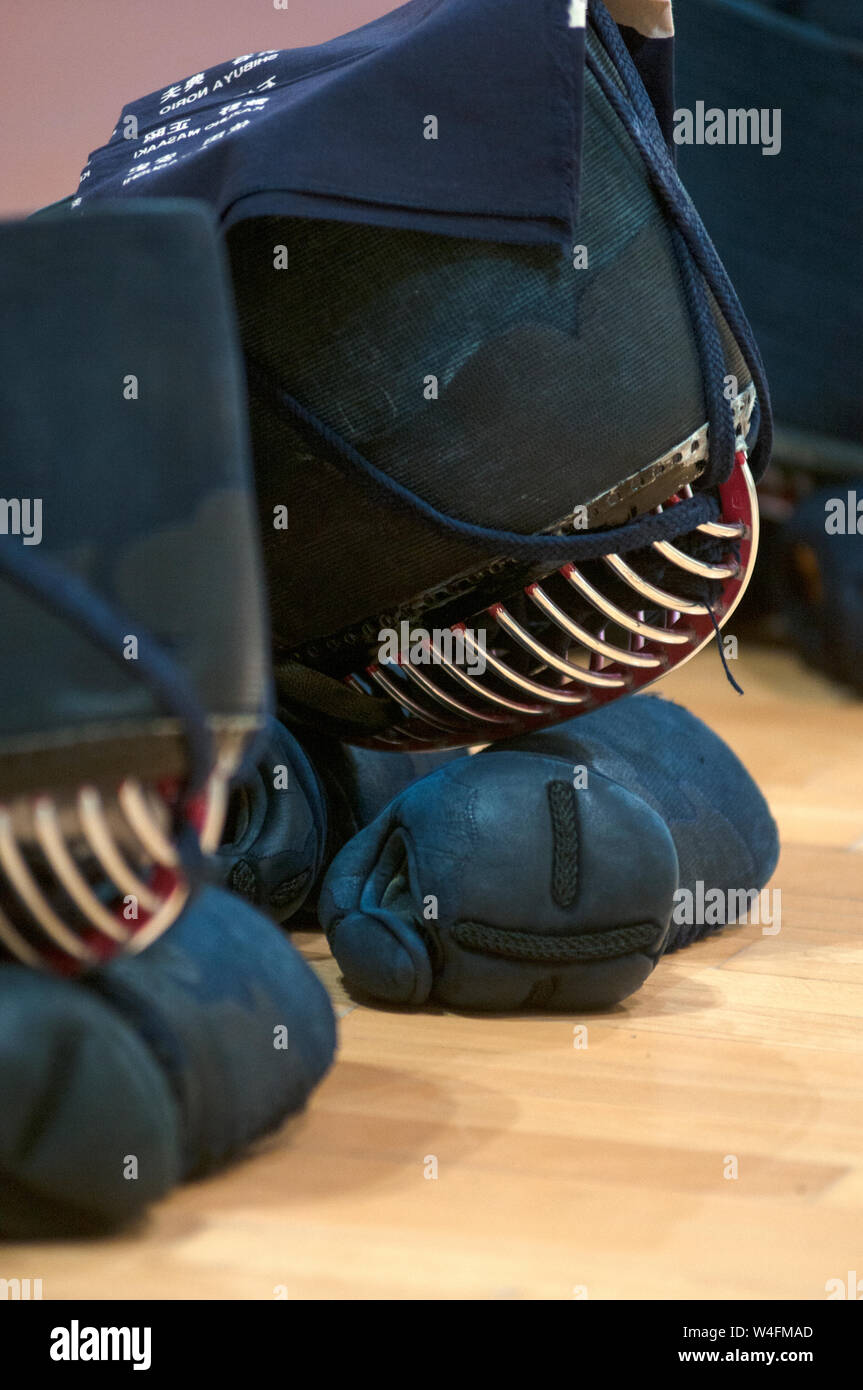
[{"x": 577, "y": 639}]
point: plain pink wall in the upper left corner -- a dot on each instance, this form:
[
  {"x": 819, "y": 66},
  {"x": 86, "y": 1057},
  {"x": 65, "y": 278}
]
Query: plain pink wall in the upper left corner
[{"x": 70, "y": 66}]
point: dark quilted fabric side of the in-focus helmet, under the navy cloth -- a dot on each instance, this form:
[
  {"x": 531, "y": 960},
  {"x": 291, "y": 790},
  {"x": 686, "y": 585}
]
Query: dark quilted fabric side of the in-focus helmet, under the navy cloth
[{"x": 554, "y": 384}]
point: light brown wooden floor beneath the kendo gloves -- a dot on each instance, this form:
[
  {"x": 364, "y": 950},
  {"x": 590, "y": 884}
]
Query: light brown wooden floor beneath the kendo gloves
[{"x": 564, "y": 1171}]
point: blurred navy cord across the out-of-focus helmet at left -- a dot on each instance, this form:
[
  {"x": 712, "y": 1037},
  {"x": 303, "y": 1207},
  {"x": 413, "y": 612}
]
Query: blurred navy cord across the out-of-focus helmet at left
[{"x": 66, "y": 593}]
